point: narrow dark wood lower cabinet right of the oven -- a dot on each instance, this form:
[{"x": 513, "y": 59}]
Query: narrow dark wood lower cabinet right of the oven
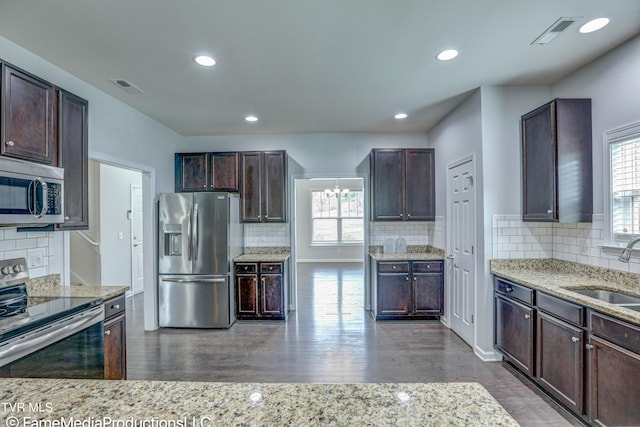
[{"x": 115, "y": 340}]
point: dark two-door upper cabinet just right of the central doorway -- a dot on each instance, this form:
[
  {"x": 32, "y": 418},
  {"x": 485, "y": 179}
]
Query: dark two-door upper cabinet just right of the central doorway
[{"x": 403, "y": 184}]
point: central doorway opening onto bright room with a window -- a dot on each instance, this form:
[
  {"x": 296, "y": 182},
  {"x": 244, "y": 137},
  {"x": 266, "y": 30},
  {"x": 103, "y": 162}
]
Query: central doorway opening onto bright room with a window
[{"x": 328, "y": 241}]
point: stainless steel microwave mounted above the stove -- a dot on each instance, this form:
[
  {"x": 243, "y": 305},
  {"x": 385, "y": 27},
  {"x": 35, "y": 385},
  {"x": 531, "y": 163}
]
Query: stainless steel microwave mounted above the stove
[{"x": 30, "y": 193}]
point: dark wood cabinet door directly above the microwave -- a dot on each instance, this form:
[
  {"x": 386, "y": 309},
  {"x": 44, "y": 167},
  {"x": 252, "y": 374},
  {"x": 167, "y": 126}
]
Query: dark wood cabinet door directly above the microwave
[{"x": 28, "y": 117}]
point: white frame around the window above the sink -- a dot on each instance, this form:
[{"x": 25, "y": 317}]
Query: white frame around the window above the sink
[{"x": 611, "y": 137}]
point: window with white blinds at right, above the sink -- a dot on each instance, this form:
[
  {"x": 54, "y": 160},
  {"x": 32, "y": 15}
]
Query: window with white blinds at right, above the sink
[{"x": 624, "y": 146}]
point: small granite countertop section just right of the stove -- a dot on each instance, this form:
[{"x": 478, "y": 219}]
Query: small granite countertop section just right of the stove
[{"x": 49, "y": 286}]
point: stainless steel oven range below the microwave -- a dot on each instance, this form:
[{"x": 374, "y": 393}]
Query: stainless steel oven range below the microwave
[{"x": 48, "y": 337}]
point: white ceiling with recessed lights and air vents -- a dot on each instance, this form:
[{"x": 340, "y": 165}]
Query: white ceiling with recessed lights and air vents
[{"x": 309, "y": 65}]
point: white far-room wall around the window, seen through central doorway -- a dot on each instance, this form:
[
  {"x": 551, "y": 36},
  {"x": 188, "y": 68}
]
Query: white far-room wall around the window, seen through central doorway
[{"x": 304, "y": 250}]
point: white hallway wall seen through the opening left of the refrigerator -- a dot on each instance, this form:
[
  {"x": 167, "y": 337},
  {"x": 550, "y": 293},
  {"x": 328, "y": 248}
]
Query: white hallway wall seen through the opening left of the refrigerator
[{"x": 115, "y": 202}]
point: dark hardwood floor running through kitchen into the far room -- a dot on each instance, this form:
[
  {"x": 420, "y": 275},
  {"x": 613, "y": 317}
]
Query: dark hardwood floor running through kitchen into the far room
[{"x": 329, "y": 339}]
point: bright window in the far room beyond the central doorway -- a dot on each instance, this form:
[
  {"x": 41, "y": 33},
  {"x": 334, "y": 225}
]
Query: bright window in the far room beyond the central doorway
[{"x": 337, "y": 219}]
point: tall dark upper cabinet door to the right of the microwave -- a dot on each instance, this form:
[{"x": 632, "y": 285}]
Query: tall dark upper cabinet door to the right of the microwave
[{"x": 74, "y": 158}]
